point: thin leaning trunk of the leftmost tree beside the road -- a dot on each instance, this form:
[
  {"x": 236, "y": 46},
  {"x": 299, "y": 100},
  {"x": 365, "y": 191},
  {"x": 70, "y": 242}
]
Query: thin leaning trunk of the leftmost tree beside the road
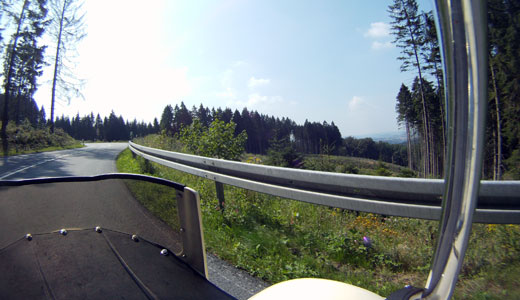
[{"x": 10, "y": 70}]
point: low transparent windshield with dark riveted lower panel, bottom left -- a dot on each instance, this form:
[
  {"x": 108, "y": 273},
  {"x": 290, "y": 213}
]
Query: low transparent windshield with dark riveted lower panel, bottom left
[{"x": 96, "y": 239}]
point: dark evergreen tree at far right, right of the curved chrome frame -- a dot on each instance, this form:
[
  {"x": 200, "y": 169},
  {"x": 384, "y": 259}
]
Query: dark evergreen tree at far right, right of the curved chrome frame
[{"x": 504, "y": 87}]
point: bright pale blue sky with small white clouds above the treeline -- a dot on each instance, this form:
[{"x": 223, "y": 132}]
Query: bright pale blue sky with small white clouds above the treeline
[{"x": 314, "y": 60}]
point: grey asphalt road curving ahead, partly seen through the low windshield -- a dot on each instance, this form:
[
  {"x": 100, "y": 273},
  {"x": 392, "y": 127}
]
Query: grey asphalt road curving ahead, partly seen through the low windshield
[{"x": 96, "y": 159}]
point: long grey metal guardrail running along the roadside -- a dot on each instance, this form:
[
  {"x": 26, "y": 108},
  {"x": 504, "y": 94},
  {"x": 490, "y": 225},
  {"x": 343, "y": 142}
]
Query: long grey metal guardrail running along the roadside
[{"x": 499, "y": 201}]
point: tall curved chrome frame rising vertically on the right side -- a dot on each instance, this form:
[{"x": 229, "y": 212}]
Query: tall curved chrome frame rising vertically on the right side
[{"x": 462, "y": 30}]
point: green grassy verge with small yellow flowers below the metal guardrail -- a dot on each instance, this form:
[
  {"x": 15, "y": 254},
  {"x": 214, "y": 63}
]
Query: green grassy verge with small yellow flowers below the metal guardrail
[{"x": 278, "y": 239}]
